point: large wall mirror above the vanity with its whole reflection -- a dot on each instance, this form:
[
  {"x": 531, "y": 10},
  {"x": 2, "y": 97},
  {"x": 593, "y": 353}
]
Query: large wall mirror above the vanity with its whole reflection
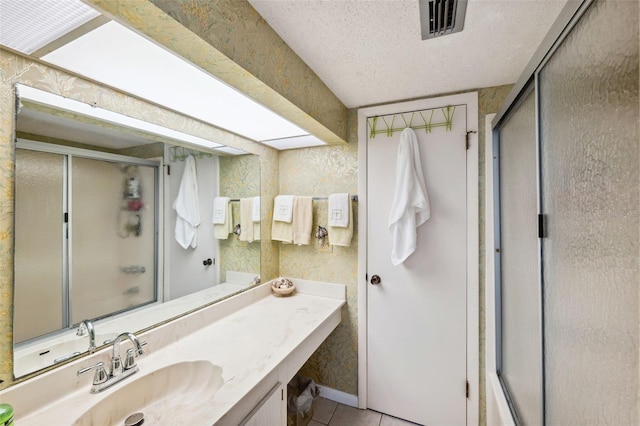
[{"x": 103, "y": 212}]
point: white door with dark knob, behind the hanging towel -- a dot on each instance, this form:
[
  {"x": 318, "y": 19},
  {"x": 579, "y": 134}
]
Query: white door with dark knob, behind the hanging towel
[{"x": 416, "y": 354}]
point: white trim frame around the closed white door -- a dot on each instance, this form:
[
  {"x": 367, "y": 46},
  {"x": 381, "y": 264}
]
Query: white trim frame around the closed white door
[{"x": 473, "y": 228}]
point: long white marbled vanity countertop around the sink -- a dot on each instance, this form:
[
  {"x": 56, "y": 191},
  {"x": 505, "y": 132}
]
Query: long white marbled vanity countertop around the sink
[{"x": 255, "y": 337}]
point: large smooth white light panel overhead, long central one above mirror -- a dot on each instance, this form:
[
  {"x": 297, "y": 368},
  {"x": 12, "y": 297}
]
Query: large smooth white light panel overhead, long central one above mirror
[{"x": 116, "y": 56}]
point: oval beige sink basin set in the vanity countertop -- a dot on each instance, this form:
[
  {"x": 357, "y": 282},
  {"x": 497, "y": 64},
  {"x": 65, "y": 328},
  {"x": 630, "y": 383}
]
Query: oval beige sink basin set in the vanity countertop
[{"x": 176, "y": 394}]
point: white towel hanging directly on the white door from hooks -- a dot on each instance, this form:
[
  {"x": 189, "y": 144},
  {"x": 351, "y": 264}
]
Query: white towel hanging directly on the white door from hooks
[{"x": 410, "y": 206}]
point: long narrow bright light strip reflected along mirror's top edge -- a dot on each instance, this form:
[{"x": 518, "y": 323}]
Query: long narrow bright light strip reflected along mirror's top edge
[{"x": 46, "y": 98}]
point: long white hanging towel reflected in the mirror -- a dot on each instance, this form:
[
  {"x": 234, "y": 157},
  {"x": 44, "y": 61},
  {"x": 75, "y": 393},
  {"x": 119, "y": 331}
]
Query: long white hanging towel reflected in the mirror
[{"x": 187, "y": 207}]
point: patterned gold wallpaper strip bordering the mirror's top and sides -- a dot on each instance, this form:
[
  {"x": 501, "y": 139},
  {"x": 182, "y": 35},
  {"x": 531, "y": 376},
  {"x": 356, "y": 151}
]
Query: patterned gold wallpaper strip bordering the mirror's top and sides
[{"x": 17, "y": 69}]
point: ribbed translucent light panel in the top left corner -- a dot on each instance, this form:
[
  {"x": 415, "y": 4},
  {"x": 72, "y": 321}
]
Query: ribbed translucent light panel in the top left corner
[{"x": 27, "y": 26}]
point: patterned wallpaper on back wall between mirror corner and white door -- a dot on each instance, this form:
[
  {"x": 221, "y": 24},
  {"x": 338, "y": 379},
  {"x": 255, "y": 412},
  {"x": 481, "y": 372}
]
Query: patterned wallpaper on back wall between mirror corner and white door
[{"x": 320, "y": 172}]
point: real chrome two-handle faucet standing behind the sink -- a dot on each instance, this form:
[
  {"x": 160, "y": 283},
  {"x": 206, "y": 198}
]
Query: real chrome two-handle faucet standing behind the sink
[{"x": 118, "y": 371}]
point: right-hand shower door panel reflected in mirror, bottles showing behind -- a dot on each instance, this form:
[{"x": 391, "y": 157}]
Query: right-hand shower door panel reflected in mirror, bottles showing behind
[{"x": 112, "y": 237}]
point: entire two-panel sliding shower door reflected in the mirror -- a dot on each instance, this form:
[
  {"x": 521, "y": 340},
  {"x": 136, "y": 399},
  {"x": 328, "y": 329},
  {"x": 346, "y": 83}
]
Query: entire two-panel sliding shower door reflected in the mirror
[{"x": 85, "y": 245}]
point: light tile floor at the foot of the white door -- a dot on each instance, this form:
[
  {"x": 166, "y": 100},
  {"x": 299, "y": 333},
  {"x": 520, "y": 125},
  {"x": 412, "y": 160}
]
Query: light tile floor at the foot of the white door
[{"x": 327, "y": 412}]
